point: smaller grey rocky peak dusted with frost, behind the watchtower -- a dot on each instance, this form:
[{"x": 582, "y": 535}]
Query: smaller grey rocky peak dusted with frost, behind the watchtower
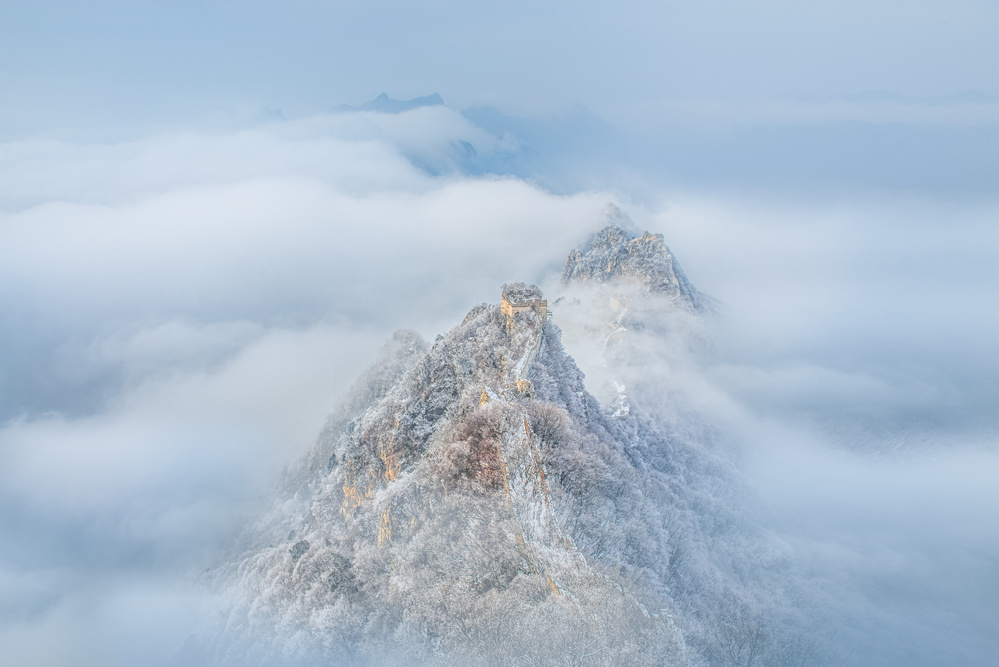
[{"x": 613, "y": 254}]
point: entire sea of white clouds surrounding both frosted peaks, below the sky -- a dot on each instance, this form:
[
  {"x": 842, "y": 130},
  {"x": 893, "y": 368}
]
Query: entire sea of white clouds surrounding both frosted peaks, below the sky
[{"x": 180, "y": 312}]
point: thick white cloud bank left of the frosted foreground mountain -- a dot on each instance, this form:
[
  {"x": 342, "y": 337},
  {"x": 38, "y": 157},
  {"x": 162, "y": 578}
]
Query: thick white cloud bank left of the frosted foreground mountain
[{"x": 178, "y": 327}]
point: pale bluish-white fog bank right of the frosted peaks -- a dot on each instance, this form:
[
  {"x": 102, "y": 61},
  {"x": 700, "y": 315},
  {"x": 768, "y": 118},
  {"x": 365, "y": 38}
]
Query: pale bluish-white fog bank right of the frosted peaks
[{"x": 856, "y": 360}]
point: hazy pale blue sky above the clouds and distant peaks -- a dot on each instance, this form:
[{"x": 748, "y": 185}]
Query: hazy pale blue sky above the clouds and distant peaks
[{"x": 66, "y": 62}]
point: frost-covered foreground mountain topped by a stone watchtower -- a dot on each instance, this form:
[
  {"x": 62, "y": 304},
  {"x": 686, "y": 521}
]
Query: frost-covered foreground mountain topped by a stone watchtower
[{"x": 471, "y": 502}]
